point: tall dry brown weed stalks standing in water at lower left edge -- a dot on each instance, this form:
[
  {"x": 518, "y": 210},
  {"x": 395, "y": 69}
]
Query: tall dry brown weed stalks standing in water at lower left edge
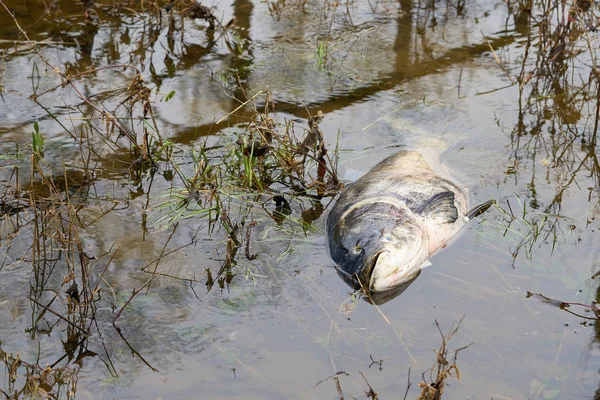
[{"x": 45, "y": 215}]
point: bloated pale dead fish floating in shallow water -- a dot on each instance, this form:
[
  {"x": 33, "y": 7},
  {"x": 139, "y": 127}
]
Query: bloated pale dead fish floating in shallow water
[{"x": 385, "y": 226}]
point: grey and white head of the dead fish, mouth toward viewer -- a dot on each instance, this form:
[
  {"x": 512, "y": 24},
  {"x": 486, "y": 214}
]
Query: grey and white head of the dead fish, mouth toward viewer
[{"x": 379, "y": 246}]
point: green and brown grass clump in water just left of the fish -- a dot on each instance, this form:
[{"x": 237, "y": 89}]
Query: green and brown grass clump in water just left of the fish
[{"x": 263, "y": 162}]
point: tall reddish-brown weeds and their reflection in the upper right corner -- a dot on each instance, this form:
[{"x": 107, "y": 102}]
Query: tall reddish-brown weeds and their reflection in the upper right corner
[{"x": 554, "y": 137}]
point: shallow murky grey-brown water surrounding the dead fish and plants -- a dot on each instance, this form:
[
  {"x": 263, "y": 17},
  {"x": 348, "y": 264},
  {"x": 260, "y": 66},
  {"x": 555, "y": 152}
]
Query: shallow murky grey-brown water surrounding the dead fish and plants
[{"x": 397, "y": 75}]
